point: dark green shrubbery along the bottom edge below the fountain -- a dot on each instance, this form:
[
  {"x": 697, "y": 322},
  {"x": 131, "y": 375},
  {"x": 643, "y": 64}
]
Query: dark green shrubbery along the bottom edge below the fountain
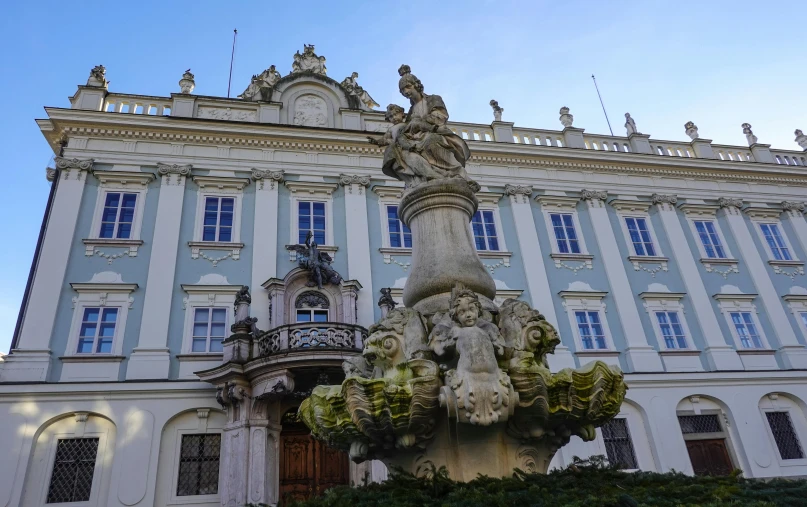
[{"x": 585, "y": 483}]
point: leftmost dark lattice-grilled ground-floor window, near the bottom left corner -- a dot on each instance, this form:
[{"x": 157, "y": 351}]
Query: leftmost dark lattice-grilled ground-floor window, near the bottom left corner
[{"x": 73, "y": 468}]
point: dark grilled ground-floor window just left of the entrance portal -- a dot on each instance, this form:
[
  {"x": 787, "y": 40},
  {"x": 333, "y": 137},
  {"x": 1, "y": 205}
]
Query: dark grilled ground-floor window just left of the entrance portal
[{"x": 199, "y": 464}]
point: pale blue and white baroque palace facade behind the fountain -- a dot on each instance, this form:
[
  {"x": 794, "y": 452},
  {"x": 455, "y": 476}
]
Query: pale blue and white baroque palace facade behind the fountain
[{"x": 680, "y": 262}]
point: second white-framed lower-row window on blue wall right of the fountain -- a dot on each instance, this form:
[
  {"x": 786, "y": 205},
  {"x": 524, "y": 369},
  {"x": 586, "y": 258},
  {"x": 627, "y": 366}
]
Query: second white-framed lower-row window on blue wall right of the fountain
[{"x": 667, "y": 317}]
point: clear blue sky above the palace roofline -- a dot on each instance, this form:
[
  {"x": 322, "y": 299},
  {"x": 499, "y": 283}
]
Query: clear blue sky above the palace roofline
[{"x": 718, "y": 63}]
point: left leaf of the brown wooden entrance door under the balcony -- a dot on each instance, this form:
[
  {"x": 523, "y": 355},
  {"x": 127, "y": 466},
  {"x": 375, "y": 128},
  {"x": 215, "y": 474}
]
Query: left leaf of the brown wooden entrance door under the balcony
[{"x": 297, "y": 480}]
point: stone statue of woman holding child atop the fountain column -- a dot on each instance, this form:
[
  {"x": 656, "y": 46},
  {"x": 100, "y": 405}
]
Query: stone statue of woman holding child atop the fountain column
[{"x": 421, "y": 147}]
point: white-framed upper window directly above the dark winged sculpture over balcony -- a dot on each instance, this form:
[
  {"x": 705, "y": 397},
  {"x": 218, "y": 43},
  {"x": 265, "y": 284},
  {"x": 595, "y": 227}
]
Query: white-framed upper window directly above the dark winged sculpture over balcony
[{"x": 311, "y": 211}]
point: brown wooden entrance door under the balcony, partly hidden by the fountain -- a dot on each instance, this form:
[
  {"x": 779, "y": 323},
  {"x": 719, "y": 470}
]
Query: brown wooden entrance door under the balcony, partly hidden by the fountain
[{"x": 307, "y": 466}]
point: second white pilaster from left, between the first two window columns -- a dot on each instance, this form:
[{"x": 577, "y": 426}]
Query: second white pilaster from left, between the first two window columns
[{"x": 150, "y": 359}]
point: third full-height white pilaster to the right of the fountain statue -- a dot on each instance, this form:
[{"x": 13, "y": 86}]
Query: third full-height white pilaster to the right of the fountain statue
[{"x": 719, "y": 355}]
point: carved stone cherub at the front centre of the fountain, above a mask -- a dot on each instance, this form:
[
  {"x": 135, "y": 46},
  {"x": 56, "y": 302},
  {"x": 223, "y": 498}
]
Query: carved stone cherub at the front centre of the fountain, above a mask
[{"x": 481, "y": 388}]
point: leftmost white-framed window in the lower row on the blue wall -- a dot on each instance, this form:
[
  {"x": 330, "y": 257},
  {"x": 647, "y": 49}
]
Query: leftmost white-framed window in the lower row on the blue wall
[{"x": 100, "y": 312}]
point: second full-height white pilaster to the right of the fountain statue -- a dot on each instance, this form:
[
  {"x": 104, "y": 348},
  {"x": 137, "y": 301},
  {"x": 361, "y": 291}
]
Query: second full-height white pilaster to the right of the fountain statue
[{"x": 639, "y": 354}]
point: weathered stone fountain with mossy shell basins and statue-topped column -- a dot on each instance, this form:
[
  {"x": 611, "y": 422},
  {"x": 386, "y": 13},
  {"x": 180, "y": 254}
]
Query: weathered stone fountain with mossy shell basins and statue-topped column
[{"x": 453, "y": 379}]
